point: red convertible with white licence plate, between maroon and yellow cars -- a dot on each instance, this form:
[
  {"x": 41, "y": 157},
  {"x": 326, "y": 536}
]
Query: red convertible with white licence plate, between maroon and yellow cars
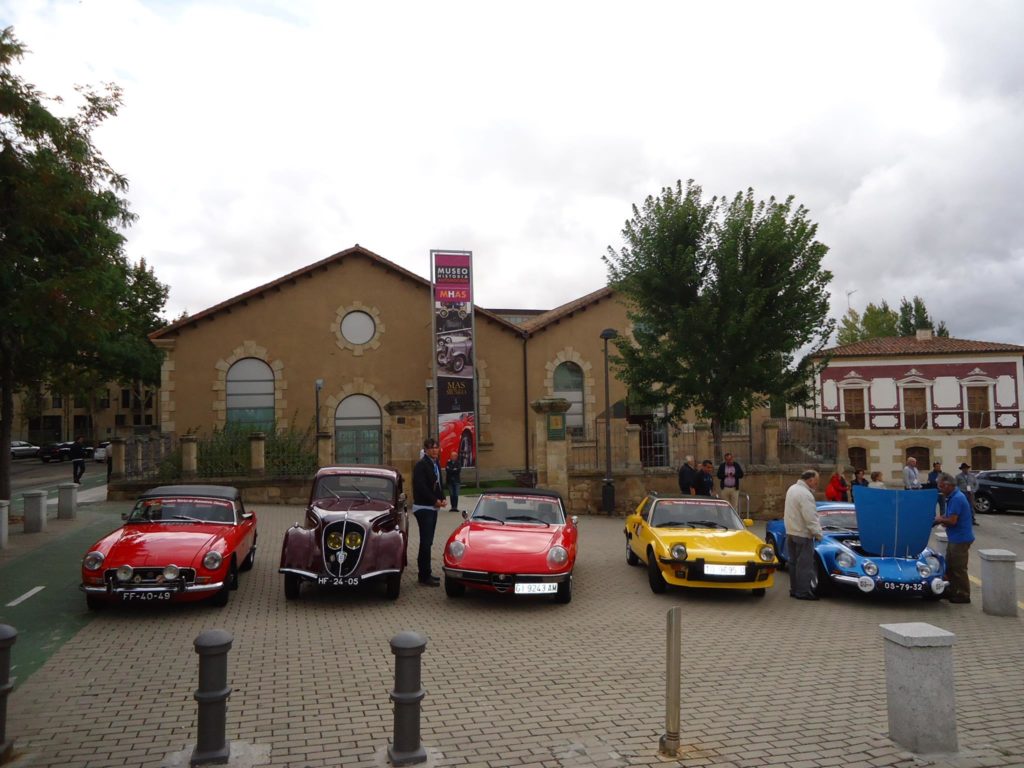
[{"x": 517, "y": 541}]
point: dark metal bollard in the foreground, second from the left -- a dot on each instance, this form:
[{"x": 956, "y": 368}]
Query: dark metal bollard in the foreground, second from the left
[{"x": 211, "y": 746}]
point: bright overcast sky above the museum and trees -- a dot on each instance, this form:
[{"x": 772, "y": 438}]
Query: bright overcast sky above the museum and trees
[{"x": 261, "y": 137}]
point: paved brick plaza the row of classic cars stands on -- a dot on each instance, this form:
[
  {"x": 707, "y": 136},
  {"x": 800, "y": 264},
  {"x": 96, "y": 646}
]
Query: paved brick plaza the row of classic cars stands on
[{"x": 766, "y": 682}]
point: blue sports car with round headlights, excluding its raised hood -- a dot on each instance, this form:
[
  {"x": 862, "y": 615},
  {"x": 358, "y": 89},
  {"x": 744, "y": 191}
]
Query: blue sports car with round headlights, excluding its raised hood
[{"x": 842, "y": 562}]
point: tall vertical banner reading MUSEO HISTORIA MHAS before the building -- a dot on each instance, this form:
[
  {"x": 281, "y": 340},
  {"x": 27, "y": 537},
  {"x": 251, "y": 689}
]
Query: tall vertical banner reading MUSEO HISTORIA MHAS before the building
[{"x": 452, "y": 273}]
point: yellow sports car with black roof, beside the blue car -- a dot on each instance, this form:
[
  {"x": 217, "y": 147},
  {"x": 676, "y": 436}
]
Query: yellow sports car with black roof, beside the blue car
[{"x": 697, "y": 541}]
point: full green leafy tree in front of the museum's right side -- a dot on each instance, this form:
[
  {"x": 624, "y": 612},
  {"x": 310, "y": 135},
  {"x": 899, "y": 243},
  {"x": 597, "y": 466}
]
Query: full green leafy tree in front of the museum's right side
[{"x": 722, "y": 296}]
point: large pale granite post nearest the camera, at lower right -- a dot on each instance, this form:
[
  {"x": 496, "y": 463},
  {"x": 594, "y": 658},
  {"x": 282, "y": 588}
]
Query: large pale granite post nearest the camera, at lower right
[{"x": 920, "y": 688}]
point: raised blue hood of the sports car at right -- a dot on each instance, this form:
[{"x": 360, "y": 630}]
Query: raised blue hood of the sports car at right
[{"x": 894, "y": 524}]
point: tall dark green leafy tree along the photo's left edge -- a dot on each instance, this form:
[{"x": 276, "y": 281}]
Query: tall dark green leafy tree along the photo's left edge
[{"x": 73, "y": 310}]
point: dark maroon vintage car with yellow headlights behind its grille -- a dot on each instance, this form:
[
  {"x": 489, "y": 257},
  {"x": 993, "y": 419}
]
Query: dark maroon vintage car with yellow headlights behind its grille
[{"x": 357, "y": 529}]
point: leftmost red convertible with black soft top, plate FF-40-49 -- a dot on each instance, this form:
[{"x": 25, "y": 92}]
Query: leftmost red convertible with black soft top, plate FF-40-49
[{"x": 181, "y": 543}]
